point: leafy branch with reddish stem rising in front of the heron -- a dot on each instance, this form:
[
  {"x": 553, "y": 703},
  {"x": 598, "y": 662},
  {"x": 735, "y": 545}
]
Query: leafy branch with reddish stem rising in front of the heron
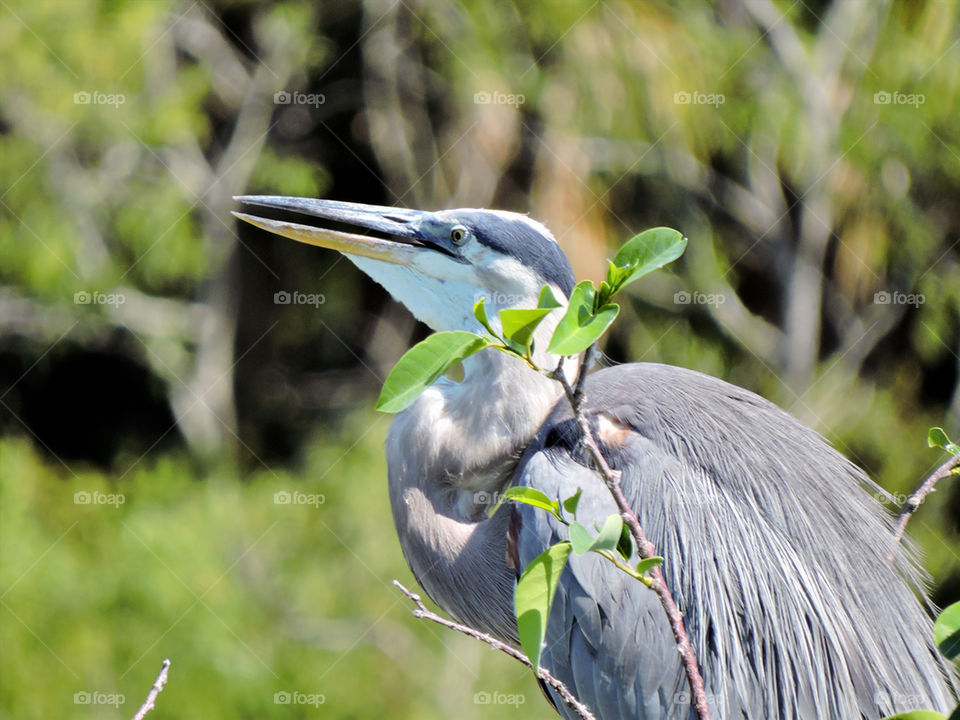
[{"x": 589, "y": 313}]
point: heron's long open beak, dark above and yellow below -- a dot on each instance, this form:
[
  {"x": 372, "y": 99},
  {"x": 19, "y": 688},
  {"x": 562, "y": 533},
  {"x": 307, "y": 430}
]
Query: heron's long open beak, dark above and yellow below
[{"x": 400, "y": 225}]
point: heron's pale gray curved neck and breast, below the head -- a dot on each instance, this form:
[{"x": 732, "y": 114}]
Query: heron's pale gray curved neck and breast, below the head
[{"x": 449, "y": 455}]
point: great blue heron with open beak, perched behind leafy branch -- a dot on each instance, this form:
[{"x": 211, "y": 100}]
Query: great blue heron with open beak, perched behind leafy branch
[{"x": 776, "y": 547}]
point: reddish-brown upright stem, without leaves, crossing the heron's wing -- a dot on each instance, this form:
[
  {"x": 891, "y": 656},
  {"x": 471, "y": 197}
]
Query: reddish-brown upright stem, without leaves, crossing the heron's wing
[{"x": 645, "y": 548}]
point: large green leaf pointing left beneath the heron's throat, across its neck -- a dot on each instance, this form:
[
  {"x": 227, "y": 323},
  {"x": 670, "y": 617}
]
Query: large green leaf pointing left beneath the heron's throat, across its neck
[{"x": 422, "y": 364}]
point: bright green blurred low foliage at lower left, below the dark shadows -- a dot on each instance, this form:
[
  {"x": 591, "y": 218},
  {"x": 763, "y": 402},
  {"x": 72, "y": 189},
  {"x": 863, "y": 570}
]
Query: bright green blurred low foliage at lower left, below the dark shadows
[{"x": 246, "y": 596}]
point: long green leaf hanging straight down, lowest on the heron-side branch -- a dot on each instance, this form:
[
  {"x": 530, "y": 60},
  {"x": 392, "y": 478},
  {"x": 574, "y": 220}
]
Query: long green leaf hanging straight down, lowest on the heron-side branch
[{"x": 534, "y": 597}]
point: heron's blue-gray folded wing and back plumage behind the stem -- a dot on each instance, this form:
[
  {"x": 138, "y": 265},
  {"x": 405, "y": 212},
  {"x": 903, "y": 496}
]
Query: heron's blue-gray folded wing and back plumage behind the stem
[{"x": 776, "y": 552}]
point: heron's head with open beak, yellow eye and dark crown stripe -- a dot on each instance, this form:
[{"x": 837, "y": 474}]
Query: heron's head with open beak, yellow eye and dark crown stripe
[{"x": 438, "y": 264}]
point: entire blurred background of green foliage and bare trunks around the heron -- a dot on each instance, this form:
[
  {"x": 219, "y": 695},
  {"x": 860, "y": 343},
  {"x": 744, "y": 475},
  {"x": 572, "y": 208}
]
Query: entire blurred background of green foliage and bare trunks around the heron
[{"x": 809, "y": 151}]
